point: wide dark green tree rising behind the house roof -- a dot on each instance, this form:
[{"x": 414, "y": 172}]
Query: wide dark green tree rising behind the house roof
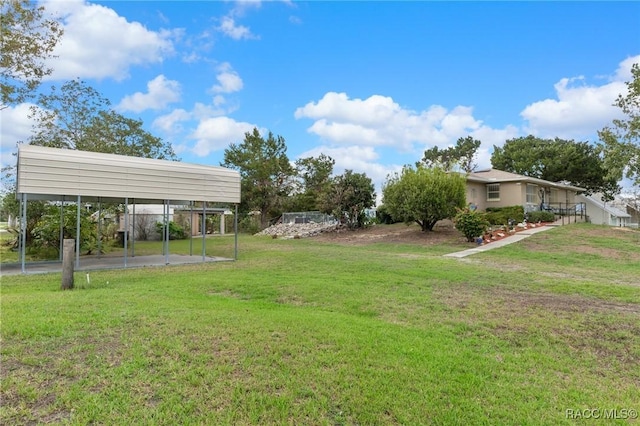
[{"x": 555, "y": 160}]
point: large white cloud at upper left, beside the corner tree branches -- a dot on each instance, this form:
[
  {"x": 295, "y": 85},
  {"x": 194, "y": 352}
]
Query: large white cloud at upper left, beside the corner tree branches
[{"x": 97, "y": 43}]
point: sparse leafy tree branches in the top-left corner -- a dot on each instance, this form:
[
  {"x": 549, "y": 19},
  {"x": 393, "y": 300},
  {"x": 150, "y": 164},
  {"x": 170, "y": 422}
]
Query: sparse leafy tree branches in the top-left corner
[{"x": 28, "y": 39}]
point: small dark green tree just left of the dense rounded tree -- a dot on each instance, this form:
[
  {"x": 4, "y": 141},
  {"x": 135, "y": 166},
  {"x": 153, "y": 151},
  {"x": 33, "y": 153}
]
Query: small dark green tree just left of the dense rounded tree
[{"x": 348, "y": 198}]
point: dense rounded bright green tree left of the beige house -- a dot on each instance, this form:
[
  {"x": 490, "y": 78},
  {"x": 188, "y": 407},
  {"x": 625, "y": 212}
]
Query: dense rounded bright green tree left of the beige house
[{"x": 424, "y": 195}]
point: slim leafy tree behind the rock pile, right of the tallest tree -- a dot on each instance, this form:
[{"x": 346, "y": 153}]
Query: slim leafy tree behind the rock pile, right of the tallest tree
[{"x": 314, "y": 174}]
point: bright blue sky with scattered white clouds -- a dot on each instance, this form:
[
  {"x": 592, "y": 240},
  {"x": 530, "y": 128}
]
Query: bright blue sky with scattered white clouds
[{"x": 372, "y": 84}]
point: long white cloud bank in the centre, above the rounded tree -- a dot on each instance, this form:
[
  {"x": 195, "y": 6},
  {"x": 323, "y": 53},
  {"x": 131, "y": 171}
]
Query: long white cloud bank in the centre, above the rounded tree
[{"x": 380, "y": 121}]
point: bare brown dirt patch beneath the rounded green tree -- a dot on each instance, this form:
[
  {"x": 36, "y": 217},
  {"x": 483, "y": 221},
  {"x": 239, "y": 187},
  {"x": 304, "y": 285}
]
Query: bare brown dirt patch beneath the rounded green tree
[{"x": 398, "y": 233}]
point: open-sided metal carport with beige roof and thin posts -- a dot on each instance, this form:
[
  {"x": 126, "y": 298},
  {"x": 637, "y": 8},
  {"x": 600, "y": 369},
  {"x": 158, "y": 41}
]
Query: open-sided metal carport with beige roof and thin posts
[{"x": 63, "y": 175}]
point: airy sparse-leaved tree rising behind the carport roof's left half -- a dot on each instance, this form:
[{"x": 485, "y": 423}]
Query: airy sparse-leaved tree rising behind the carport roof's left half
[{"x": 79, "y": 117}]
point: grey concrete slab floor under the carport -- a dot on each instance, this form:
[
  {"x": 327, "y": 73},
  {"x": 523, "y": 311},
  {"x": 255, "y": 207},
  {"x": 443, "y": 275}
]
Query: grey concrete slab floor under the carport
[{"x": 94, "y": 263}]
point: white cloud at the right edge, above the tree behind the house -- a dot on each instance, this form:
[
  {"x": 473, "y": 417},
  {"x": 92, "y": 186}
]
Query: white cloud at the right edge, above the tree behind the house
[{"x": 579, "y": 110}]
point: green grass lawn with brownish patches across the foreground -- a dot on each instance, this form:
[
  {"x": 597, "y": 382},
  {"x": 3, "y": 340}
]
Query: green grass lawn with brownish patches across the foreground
[{"x": 309, "y": 332}]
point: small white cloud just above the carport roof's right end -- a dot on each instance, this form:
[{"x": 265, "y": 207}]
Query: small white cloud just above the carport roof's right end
[{"x": 213, "y": 134}]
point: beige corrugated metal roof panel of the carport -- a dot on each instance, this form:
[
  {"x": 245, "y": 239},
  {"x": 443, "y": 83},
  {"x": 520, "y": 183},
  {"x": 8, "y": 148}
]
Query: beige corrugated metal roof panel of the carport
[{"x": 51, "y": 173}]
